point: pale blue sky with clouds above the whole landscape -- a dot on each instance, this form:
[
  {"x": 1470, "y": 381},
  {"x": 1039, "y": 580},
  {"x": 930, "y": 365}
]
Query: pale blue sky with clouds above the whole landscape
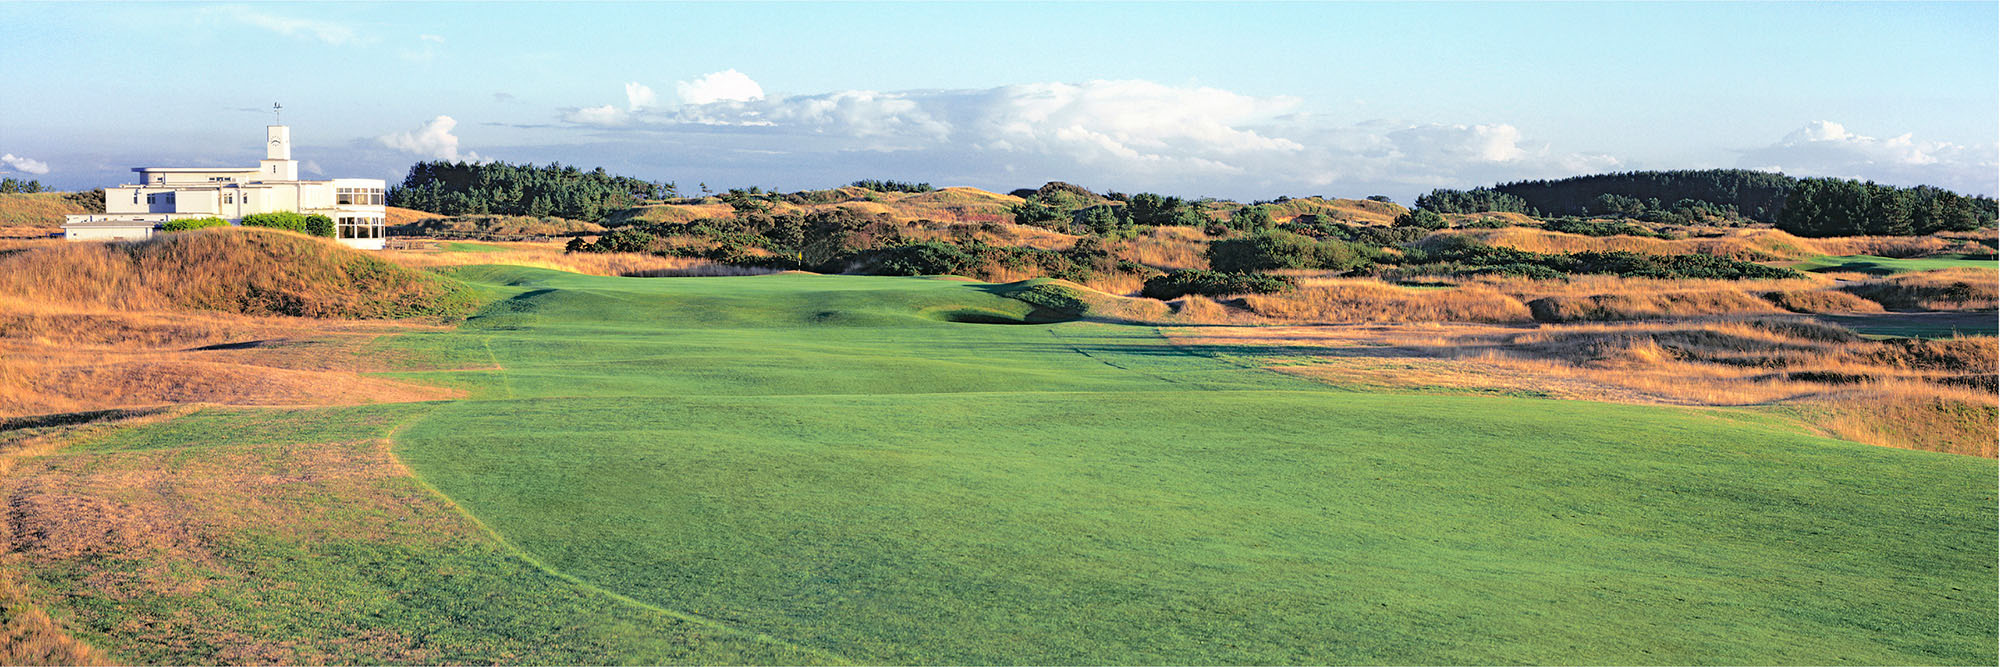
[{"x": 1231, "y": 101}]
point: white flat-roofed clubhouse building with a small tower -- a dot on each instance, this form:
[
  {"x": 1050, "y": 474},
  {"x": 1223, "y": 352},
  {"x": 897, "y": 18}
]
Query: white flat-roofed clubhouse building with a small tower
[{"x": 133, "y": 213}]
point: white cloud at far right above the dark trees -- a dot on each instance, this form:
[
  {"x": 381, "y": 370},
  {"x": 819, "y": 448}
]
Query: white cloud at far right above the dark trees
[{"x": 1829, "y": 149}]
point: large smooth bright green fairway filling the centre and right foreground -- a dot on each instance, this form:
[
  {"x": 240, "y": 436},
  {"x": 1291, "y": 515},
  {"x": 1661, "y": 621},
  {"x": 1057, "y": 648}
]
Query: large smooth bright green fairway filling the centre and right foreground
[{"x": 847, "y": 466}]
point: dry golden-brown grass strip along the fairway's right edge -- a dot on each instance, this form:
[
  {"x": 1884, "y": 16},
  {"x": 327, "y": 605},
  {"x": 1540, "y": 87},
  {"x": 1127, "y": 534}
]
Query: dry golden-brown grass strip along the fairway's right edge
[{"x": 1829, "y": 378}]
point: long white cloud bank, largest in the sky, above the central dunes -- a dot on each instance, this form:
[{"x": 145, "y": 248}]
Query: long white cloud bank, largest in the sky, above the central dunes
[{"x": 1125, "y": 135}]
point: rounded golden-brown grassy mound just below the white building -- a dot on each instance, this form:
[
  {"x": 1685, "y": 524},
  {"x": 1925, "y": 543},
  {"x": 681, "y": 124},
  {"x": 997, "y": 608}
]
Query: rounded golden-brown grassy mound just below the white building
[{"x": 253, "y": 273}]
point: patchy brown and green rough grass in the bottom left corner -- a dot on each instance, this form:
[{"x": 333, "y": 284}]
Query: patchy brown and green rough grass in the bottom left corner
[{"x": 297, "y": 538}]
